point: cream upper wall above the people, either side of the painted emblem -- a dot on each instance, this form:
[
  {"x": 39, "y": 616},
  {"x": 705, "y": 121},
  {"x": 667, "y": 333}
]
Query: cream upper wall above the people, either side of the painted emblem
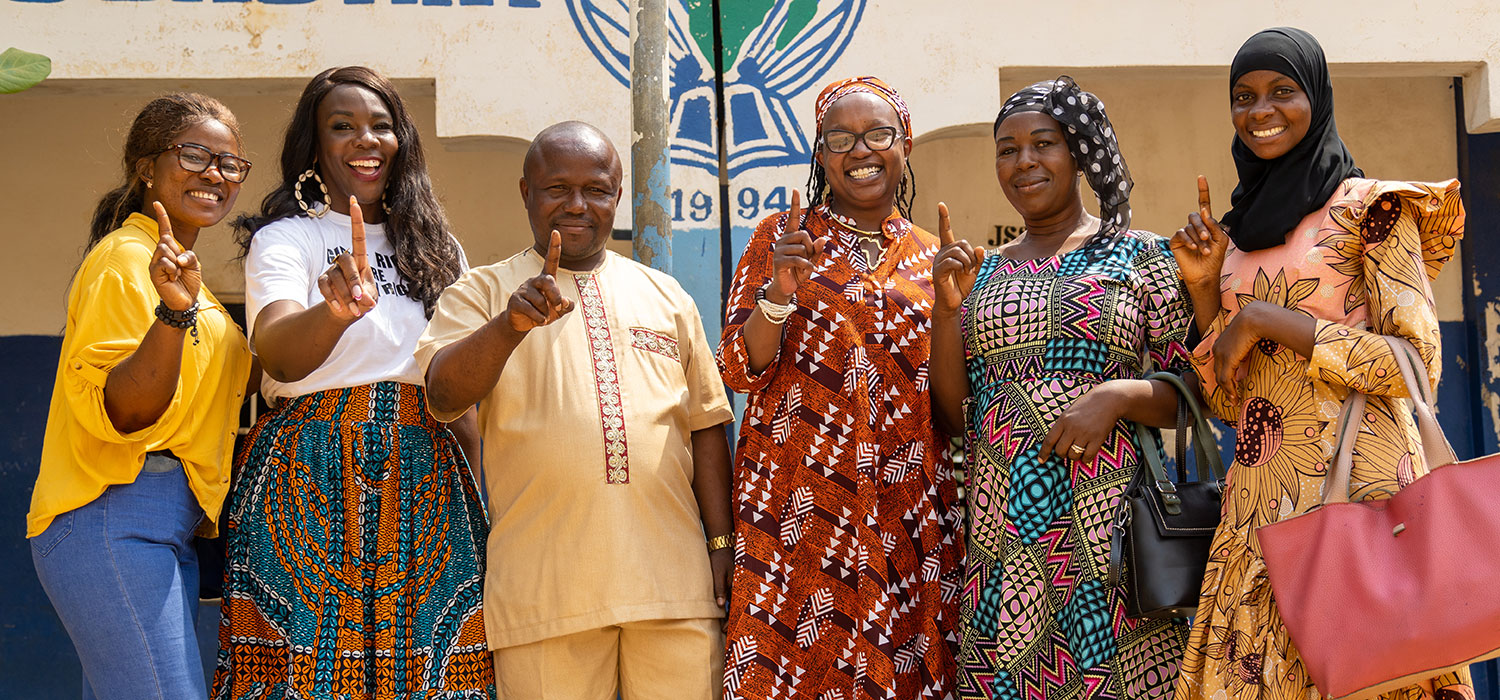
[{"x": 484, "y": 58}]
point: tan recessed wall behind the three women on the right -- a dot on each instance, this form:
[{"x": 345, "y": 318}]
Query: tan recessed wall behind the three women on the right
[{"x": 1175, "y": 128}]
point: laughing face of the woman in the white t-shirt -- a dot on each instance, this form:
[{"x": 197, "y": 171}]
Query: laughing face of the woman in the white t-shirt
[{"x": 356, "y": 148}]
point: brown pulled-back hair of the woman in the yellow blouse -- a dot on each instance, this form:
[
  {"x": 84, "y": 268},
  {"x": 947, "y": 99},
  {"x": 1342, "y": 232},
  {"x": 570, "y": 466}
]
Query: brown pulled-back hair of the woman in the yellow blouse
[{"x": 154, "y": 130}]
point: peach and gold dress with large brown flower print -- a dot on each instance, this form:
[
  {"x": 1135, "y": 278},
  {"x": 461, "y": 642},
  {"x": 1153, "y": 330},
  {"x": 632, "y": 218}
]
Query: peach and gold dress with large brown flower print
[{"x": 1363, "y": 268}]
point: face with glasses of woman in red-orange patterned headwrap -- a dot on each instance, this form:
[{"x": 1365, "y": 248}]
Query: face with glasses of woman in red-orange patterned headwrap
[{"x": 865, "y": 181}]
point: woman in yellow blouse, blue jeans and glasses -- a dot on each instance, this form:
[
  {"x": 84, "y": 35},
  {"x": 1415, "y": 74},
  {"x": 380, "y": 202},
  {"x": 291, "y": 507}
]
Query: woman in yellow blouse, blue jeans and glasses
[{"x": 145, "y": 407}]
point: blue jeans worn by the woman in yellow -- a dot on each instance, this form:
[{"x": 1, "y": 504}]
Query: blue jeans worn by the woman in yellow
[{"x": 124, "y": 578}]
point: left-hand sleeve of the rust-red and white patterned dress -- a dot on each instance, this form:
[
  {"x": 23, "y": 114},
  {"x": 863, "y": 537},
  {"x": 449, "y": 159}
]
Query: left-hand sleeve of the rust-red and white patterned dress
[{"x": 752, "y": 274}]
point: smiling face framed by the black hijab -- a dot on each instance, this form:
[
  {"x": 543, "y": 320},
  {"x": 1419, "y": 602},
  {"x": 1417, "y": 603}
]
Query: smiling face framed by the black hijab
[{"x": 1271, "y": 113}]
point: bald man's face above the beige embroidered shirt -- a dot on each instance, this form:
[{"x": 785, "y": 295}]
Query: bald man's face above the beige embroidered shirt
[{"x": 572, "y": 184}]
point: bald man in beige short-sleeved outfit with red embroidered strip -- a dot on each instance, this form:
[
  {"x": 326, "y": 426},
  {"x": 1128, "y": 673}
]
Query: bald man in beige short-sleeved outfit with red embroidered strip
[{"x": 605, "y": 450}]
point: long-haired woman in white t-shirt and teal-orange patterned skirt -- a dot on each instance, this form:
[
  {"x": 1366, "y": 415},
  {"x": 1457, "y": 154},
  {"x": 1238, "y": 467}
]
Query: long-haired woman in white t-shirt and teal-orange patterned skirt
[{"x": 355, "y": 530}]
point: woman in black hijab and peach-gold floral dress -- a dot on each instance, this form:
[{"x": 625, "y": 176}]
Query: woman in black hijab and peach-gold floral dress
[{"x": 1292, "y": 296}]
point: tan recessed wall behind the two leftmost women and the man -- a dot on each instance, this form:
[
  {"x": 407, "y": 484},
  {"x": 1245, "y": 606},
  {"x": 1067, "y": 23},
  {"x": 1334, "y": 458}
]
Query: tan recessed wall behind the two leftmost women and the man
[{"x": 62, "y": 146}]
